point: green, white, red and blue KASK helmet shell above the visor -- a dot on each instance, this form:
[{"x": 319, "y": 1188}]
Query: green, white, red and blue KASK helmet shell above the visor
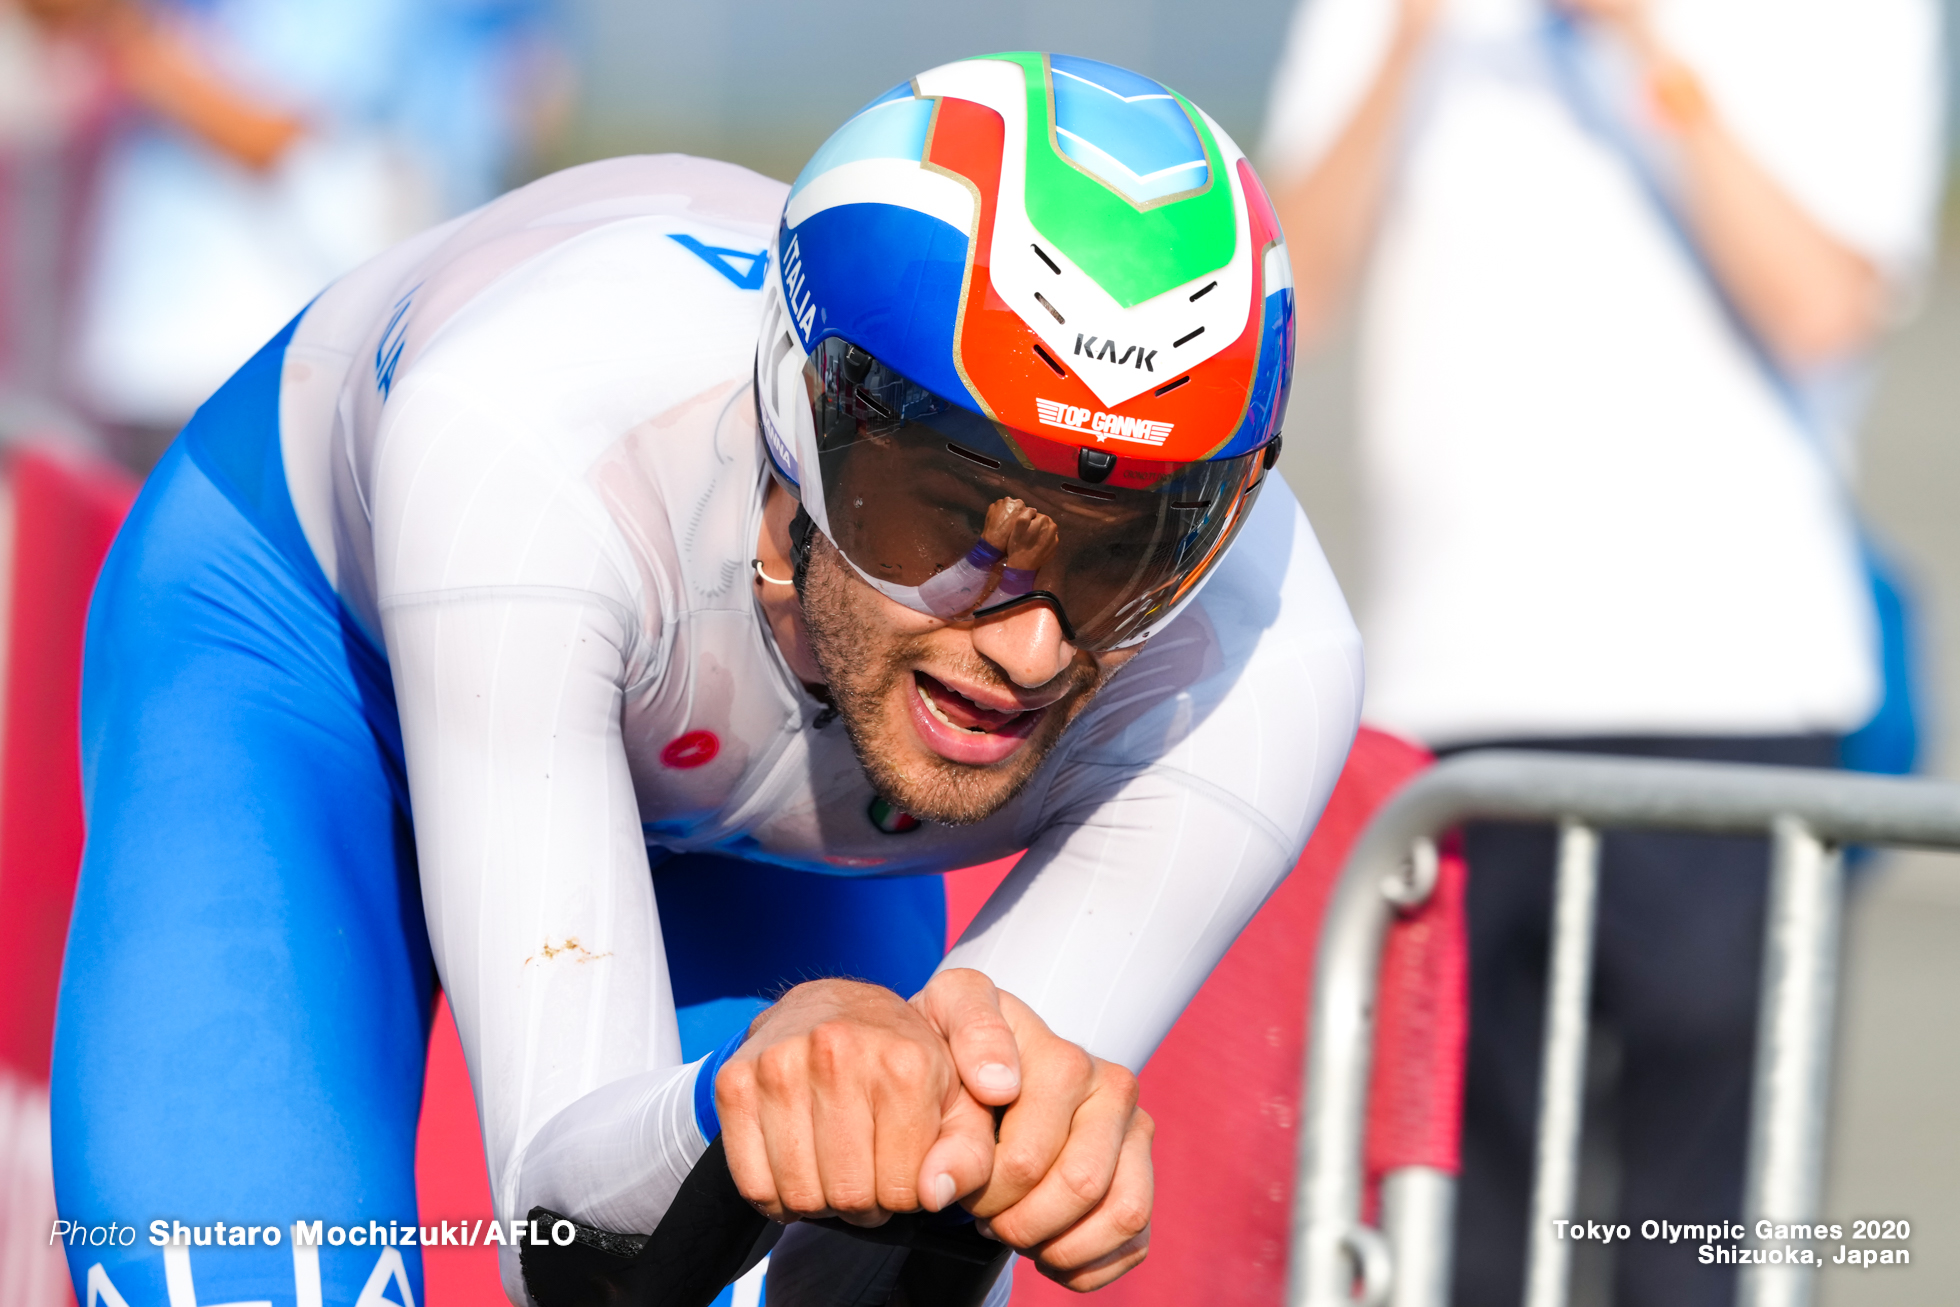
[{"x": 1053, "y": 244}]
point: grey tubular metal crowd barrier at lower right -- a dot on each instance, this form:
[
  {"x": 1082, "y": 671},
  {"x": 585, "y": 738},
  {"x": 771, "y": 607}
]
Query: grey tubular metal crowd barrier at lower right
[{"x": 1808, "y": 814}]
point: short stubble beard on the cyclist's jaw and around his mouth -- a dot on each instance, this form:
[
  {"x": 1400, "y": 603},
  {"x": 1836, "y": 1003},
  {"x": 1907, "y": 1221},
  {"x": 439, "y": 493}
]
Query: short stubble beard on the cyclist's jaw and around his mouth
[{"x": 842, "y": 616}]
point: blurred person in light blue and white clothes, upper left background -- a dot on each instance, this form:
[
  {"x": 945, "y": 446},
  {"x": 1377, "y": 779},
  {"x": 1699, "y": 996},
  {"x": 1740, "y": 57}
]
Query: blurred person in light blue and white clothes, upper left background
[{"x": 273, "y": 146}]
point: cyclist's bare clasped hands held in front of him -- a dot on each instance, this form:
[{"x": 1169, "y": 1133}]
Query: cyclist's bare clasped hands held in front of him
[{"x": 852, "y": 1102}]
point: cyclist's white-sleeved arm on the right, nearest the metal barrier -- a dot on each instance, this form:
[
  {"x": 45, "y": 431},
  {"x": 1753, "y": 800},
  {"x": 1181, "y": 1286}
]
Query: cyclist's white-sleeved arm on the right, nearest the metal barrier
[{"x": 1179, "y": 824}]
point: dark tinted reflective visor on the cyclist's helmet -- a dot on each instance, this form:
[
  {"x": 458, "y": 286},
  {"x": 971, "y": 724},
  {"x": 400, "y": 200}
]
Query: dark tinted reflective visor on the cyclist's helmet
[{"x": 957, "y": 516}]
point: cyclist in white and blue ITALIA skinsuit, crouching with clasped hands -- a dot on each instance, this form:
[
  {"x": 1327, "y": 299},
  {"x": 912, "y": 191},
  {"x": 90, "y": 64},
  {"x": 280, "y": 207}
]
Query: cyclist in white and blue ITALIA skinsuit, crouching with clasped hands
[{"x": 612, "y": 605}]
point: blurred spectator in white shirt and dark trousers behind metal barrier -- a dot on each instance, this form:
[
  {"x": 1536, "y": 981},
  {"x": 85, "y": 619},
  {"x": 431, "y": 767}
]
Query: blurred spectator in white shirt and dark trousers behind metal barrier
[{"x": 1622, "y": 269}]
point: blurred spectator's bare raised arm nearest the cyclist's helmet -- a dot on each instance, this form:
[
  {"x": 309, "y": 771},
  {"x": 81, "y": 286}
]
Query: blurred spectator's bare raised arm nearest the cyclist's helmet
[{"x": 1330, "y": 215}]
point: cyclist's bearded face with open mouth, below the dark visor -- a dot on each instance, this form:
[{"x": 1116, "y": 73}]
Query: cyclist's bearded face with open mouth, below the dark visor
[{"x": 942, "y": 714}]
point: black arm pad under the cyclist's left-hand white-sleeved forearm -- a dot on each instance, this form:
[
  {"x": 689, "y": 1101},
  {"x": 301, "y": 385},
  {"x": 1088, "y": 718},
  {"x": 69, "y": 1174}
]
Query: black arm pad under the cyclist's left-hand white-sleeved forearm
[{"x": 701, "y": 1245}]
